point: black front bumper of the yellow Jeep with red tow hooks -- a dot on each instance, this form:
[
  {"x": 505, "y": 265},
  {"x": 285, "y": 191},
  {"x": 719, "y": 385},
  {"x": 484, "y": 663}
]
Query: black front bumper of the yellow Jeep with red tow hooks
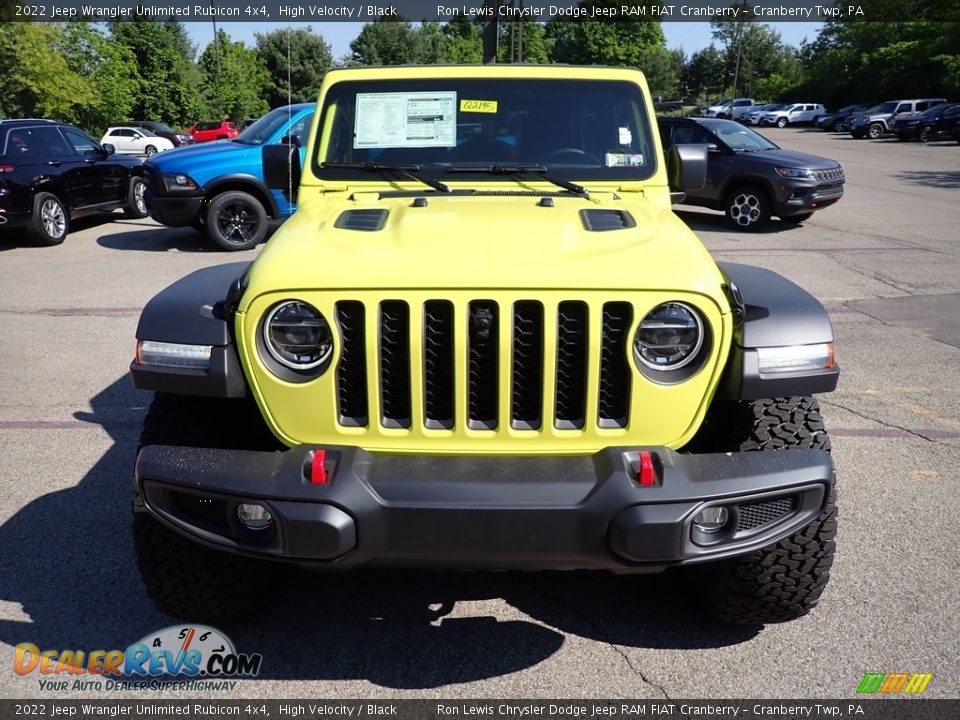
[{"x": 546, "y": 512}]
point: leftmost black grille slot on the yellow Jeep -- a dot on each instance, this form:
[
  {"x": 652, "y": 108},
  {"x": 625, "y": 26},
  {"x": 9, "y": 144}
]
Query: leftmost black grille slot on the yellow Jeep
[{"x": 352, "y": 369}]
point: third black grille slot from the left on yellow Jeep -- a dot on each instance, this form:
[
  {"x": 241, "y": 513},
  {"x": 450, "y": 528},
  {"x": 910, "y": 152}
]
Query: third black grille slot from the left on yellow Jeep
[{"x": 438, "y": 363}]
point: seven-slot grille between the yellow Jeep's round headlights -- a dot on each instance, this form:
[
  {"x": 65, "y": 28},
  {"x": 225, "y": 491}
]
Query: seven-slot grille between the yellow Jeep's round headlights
[{"x": 482, "y": 381}]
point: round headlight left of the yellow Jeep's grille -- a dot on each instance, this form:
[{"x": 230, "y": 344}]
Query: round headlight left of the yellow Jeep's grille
[{"x": 297, "y": 335}]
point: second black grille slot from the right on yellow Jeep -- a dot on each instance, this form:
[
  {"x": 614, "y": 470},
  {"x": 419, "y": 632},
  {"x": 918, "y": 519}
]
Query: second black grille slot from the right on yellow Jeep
[{"x": 571, "y": 397}]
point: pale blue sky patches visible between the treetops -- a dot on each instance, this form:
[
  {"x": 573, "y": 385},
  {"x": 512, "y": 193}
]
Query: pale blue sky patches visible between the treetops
[{"x": 689, "y": 36}]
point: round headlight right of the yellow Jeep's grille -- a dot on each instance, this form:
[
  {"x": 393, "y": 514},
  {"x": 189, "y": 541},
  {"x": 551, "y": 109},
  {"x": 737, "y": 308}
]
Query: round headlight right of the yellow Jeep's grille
[{"x": 669, "y": 337}]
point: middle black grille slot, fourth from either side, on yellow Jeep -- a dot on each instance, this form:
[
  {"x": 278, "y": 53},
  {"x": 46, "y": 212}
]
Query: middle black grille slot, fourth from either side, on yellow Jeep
[{"x": 483, "y": 345}]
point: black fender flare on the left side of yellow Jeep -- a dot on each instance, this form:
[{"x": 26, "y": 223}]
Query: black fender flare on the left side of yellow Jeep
[{"x": 195, "y": 310}]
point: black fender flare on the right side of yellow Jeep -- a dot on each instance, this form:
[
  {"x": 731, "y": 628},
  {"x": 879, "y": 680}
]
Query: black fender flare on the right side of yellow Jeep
[{"x": 772, "y": 311}]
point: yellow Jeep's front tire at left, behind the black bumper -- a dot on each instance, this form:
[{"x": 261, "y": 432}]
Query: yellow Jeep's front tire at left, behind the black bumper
[{"x": 183, "y": 578}]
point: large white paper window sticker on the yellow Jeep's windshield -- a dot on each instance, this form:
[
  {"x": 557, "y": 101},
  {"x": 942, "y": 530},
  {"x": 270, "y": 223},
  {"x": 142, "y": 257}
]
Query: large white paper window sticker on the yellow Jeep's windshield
[{"x": 420, "y": 119}]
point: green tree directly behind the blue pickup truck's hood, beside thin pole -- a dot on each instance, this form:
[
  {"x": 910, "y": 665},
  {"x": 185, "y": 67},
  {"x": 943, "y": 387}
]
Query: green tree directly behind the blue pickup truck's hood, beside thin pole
[{"x": 235, "y": 83}]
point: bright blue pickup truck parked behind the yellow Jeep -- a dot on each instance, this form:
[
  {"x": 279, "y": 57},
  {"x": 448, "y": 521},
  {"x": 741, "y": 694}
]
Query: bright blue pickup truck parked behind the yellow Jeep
[{"x": 218, "y": 187}]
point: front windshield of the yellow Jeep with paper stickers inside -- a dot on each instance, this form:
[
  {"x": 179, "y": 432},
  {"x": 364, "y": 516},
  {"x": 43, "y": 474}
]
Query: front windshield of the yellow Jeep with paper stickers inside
[{"x": 590, "y": 129}]
